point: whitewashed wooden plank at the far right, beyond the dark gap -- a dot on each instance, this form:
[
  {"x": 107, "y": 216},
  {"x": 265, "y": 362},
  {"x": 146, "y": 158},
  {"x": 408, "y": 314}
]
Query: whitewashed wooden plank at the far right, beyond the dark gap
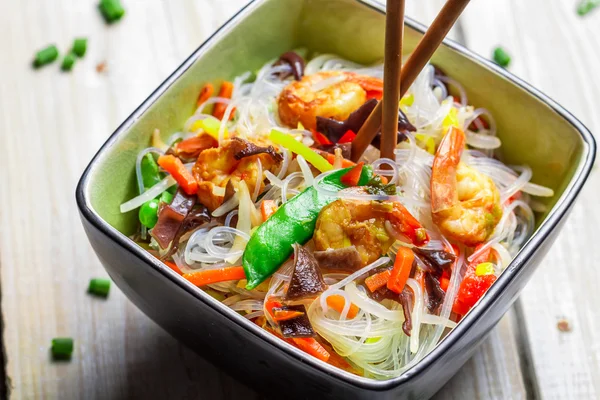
[{"x": 557, "y": 51}]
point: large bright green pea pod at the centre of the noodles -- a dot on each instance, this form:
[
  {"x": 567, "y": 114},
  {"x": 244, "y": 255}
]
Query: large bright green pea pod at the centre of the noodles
[{"x": 294, "y": 222}]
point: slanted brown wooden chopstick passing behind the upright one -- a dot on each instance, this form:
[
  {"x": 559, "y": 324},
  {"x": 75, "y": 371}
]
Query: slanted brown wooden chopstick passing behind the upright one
[{"x": 418, "y": 59}]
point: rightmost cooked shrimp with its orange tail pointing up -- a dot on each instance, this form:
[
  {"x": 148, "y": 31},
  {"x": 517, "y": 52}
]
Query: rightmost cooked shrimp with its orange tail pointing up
[{"x": 465, "y": 203}]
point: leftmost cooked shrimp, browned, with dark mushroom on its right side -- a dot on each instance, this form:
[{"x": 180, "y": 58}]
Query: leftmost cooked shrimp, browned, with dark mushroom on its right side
[{"x": 219, "y": 170}]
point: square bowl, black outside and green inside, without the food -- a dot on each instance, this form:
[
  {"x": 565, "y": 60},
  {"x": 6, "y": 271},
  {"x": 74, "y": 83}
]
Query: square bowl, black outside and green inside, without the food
[{"x": 534, "y": 130}]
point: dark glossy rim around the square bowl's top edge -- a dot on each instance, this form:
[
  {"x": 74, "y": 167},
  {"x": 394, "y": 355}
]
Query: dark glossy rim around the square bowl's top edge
[{"x": 510, "y": 274}]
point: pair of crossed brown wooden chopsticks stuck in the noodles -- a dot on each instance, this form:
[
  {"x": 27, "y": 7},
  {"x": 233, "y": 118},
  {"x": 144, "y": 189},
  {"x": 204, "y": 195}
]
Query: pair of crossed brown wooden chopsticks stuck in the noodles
[{"x": 397, "y": 79}]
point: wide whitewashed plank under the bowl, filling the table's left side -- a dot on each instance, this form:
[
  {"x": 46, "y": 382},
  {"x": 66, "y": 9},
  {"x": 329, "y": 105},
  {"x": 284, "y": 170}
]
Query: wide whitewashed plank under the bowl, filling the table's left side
[{"x": 52, "y": 124}]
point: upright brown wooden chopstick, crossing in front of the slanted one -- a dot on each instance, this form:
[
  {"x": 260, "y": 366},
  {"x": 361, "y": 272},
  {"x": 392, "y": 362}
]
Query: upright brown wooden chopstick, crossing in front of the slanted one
[{"x": 394, "y": 28}]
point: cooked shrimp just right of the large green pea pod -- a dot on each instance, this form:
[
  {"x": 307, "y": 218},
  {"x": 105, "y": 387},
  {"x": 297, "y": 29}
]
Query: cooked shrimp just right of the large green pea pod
[{"x": 346, "y": 223}]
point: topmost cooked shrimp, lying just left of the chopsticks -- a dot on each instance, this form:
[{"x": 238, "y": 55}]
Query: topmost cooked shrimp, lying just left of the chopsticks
[{"x": 330, "y": 94}]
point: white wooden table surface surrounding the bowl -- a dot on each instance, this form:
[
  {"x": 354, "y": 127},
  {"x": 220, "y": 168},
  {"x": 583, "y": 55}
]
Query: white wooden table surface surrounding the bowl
[{"x": 51, "y": 123}]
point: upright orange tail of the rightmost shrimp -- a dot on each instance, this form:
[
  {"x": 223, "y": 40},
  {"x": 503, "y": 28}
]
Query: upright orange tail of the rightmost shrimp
[{"x": 444, "y": 194}]
